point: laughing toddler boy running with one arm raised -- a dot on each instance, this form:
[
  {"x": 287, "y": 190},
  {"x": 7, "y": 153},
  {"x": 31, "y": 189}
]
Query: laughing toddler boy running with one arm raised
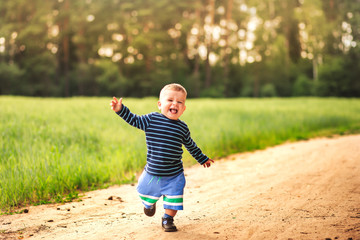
[{"x": 165, "y": 134}]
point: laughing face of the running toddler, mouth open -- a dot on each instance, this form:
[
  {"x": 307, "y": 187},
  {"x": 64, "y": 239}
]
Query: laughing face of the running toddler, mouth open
[{"x": 172, "y": 103}]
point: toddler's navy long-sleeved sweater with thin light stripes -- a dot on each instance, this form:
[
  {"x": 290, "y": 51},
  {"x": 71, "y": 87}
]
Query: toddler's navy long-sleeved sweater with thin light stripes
[{"x": 164, "y": 140}]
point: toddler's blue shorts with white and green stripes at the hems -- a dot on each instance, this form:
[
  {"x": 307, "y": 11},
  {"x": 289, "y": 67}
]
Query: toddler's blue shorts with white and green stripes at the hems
[{"x": 151, "y": 188}]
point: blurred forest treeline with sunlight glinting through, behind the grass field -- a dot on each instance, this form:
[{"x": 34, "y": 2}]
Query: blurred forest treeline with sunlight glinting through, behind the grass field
[{"x": 228, "y": 48}]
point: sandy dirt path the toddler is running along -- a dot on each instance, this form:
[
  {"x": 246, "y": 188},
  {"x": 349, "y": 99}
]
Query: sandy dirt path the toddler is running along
[{"x": 303, "y": 190}]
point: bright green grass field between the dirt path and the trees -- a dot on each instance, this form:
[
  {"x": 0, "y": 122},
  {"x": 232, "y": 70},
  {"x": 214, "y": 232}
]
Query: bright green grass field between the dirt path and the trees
[{"x": 51, "y": 149}]
